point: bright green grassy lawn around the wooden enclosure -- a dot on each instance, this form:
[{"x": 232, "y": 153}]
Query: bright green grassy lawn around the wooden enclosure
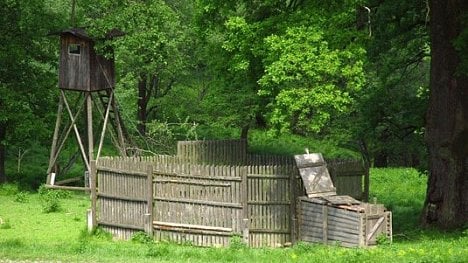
[{"x": 28, "y": 233}]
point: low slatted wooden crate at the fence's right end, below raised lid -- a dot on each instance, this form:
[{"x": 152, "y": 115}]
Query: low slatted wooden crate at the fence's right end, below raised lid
[{"x": 336, "y": 220}]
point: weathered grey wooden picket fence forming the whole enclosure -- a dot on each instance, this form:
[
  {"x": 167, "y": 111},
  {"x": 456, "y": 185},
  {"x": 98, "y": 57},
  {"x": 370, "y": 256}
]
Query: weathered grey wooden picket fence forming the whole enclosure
[{"x": 175, "y": 198}]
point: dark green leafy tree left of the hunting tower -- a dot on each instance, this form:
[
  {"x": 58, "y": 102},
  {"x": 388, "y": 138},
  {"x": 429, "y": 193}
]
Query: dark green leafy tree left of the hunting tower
[{"x": 27, "y": 73}]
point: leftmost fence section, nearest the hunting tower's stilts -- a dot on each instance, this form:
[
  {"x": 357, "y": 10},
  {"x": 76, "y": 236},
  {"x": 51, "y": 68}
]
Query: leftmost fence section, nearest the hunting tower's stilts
[{"x": 124, "y": 197}]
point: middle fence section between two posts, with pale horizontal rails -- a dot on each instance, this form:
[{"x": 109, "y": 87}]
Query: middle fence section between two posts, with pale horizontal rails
[{"x": 199, "y": 204}]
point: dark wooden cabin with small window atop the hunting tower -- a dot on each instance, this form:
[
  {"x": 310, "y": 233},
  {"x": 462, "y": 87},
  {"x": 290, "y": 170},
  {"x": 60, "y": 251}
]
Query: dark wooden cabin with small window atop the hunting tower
[{"x": 80, "y": 67}]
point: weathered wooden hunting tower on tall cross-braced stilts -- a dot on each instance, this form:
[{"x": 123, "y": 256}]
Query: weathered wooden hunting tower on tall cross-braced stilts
[{"x": 87, "y": 79}]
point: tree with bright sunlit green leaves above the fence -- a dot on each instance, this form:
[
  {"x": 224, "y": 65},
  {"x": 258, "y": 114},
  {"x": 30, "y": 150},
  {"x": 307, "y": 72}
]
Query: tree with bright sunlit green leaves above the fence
[{"x": 284, "y": 65}]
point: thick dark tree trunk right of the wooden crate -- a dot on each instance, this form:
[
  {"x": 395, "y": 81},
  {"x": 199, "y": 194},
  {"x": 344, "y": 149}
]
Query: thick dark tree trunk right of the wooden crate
[{"x": 446, "y": 204}]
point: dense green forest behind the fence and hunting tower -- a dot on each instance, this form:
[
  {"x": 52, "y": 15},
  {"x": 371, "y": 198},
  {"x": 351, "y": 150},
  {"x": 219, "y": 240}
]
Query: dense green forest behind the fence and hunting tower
[{"x": 348, "y": 78}]
